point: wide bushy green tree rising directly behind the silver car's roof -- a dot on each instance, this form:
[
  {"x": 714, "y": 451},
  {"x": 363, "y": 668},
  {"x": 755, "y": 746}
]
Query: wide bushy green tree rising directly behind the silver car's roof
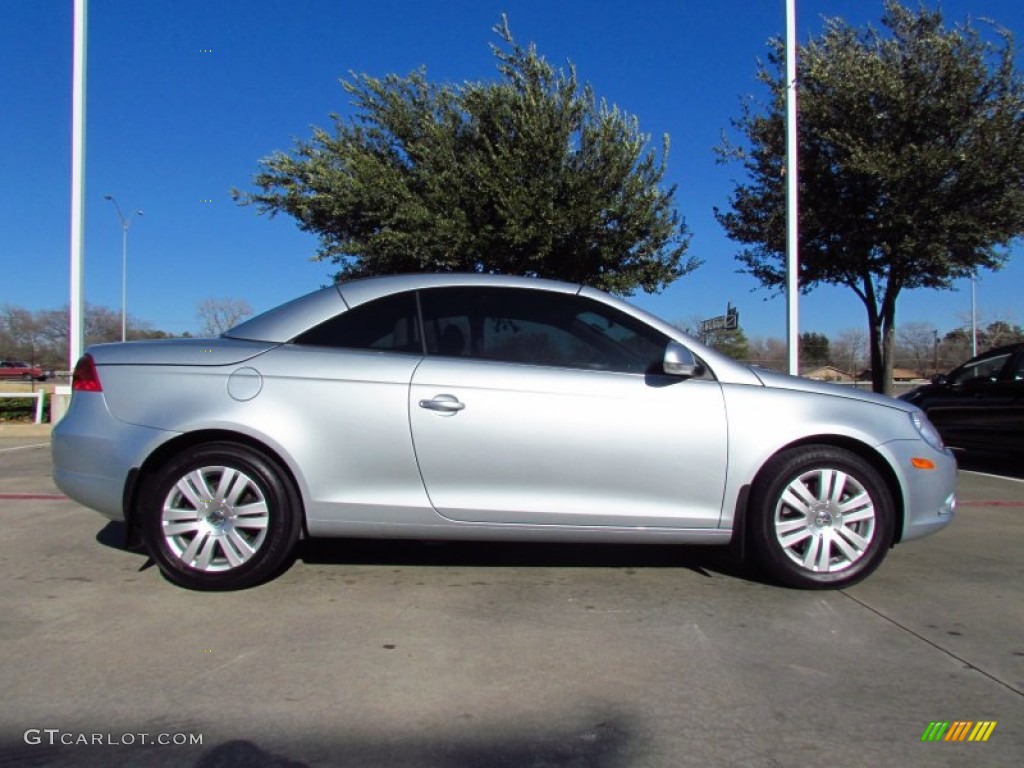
[{"x": 528, "y": 176}]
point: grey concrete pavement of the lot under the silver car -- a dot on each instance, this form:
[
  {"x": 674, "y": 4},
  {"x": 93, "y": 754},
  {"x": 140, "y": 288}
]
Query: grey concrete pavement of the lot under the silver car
[{"x": 399, "y": 655}]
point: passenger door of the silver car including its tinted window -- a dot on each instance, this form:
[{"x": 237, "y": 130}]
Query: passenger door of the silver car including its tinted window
[{"x": 542, "y": 408}]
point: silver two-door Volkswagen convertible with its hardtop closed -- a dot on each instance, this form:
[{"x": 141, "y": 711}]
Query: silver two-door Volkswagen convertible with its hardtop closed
[{"x": 486, "y": 408}]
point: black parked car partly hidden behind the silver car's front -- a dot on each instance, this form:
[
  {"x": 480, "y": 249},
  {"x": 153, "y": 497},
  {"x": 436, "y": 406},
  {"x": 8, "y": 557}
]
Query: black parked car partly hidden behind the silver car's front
[{"x": 979, "y": 407}]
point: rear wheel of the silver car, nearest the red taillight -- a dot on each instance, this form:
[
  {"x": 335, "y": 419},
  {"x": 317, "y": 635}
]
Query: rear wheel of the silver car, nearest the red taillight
[{"x": 220, "y": 517}]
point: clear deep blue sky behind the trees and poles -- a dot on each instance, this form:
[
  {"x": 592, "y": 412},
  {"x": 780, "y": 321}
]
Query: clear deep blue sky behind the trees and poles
[{"x": 186, "y": 97}]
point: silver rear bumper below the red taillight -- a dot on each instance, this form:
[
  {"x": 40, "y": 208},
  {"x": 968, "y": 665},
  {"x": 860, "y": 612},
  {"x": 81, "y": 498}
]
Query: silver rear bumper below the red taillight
[{"x": 94, "y": 454}]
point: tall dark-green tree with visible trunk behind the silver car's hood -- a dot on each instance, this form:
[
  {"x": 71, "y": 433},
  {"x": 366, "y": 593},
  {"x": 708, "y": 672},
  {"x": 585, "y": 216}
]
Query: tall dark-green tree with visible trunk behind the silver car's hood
[{"x": 912, "y": 162}]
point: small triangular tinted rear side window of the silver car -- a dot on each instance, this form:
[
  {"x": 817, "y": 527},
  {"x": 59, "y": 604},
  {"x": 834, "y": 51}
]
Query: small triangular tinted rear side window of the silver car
[{"x": 388, "y": 325}]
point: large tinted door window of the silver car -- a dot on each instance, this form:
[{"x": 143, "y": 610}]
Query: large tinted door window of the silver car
[{"x": 536, "y": 327}]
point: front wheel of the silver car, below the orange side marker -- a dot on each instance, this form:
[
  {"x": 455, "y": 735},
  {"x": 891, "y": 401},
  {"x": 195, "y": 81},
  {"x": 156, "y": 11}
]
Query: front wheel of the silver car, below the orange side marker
[{"x": 821, "y": 518}]
